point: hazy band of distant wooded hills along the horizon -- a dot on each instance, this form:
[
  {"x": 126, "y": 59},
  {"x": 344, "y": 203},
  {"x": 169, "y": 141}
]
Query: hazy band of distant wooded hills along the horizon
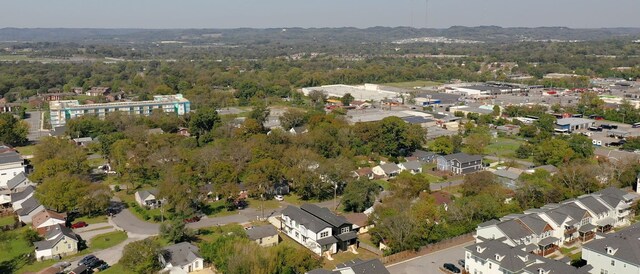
[{"x": 300, "y": 35}]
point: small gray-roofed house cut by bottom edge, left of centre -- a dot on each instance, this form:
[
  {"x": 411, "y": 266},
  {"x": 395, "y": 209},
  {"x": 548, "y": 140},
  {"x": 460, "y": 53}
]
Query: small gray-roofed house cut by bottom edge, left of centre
[{"x": 181, "y": 257}]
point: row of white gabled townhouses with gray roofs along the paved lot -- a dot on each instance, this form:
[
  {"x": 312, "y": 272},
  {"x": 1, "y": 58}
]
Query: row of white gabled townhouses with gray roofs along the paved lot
[{"x": 544, "y": 230}]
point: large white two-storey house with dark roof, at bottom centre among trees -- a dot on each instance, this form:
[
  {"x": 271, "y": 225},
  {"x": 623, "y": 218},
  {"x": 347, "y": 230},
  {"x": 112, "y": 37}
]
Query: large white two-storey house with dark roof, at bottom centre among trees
[{"x": 318, "y": 229}]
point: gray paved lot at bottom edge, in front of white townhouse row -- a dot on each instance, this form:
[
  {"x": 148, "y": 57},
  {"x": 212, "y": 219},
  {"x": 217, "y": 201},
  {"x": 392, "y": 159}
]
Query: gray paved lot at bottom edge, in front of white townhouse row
[{"x": 430, "y": 263}]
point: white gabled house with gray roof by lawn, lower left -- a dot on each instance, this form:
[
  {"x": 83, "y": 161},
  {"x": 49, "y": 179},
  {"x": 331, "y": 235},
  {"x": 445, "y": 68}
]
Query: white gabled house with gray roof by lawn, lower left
[{"x": 58, "y": 242}]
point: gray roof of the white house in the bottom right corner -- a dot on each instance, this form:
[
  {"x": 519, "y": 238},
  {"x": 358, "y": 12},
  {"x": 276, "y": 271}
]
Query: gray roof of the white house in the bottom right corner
[{"x": 625, "y": 241}]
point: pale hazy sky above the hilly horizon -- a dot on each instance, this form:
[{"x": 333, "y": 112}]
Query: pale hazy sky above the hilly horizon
[{"x": 159, "y": 14}]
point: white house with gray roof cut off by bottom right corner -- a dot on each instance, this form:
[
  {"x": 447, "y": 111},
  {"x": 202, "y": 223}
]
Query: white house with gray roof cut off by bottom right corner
[{"x": 615, "y": 253}]
